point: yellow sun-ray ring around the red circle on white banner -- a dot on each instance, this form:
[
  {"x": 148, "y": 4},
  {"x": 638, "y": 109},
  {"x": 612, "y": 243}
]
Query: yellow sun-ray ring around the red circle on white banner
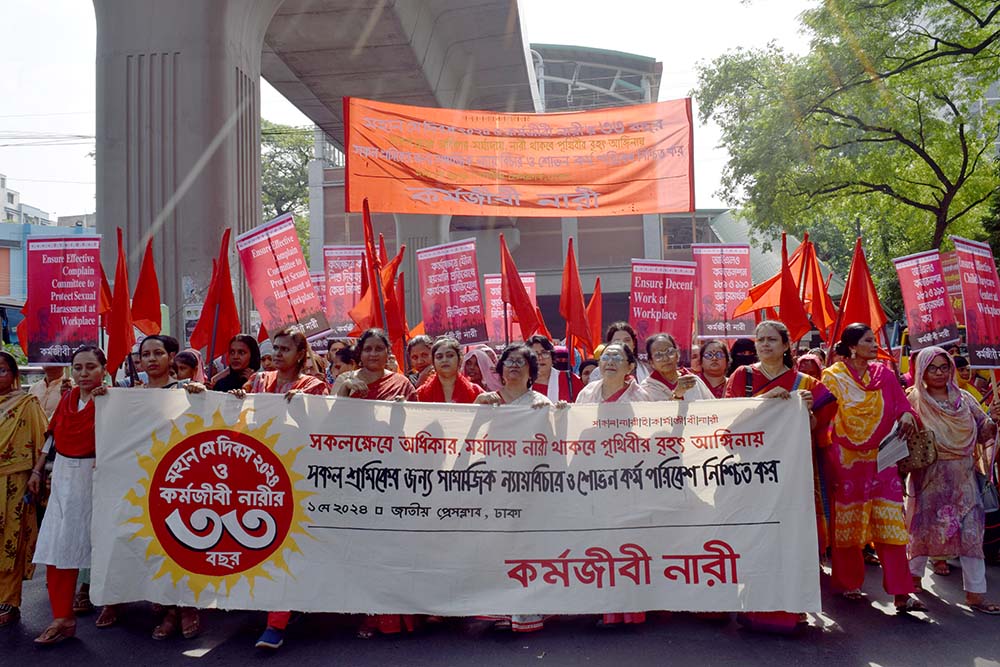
[{"x": 145, "y": 530}]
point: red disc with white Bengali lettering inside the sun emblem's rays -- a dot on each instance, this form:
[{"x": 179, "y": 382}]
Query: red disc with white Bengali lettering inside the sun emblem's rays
[{"x": 220, "y": 503}]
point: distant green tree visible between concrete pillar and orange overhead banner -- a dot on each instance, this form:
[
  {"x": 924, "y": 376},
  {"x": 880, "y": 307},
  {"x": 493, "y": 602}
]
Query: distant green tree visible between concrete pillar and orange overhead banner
[{"x": 285, "y": 152}]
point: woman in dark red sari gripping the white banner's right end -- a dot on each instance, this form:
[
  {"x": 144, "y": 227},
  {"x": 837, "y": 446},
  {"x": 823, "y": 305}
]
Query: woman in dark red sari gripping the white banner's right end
[{"x": 773, "y": 376}]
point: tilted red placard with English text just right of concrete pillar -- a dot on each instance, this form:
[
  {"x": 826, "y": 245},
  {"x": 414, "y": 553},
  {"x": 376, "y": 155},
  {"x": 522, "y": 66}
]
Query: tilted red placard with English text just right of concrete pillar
[{"x": 279, "y": 278}]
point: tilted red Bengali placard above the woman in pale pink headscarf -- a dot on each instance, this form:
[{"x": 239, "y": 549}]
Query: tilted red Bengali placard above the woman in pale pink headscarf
[{"x": 925, "y": 297}]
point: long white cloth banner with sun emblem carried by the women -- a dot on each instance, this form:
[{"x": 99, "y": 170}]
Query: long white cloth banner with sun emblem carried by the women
[{"x": 344, "y": 505}]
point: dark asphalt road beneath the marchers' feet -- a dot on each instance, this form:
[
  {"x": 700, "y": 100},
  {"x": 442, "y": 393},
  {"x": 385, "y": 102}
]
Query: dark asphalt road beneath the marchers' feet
[{"x": 847, "y": 633}]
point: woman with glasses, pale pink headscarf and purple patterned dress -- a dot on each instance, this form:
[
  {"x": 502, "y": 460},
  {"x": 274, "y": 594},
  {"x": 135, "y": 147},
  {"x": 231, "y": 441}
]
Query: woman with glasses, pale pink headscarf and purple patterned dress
[{"x": 944, "y": 510}]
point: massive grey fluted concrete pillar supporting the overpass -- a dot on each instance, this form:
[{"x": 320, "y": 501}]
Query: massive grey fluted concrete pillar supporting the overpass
[{"x": 178, "y": 134}]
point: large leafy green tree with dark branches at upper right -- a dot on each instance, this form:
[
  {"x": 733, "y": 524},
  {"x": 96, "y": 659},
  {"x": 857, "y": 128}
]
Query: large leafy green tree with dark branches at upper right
[{"x": 880, "y": 128}]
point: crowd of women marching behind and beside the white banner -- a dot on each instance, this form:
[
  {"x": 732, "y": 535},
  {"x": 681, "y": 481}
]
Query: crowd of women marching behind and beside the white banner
[{"x": 854, "y": 400}]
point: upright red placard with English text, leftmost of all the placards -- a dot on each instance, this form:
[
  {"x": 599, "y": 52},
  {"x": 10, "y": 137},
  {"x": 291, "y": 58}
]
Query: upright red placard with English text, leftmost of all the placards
[{"x": 64, "y": 280}]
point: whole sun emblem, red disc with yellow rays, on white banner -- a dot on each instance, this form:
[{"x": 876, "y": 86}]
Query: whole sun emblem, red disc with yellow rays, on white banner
[{"x": 218, "y": 504}]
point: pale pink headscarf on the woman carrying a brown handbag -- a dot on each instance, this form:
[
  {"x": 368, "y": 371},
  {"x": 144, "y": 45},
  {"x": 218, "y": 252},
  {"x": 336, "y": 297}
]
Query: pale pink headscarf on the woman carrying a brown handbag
[{"x": 953, "y": 424}]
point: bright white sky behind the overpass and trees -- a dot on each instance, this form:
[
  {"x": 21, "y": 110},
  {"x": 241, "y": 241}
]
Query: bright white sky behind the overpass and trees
[{"x": 48, "y": 74}]
